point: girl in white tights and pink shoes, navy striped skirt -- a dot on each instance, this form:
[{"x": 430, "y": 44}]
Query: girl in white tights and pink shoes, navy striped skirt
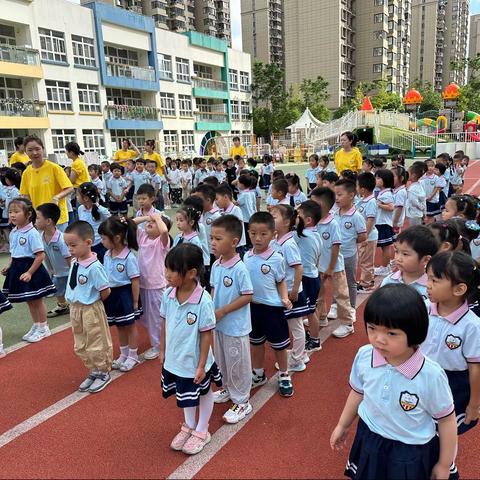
[{"x": 188, "y": 365}]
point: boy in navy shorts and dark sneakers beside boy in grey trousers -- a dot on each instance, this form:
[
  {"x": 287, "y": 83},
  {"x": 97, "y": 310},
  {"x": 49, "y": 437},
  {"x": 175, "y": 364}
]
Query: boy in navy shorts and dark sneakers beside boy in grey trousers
[{"x": 270, "y": 298}]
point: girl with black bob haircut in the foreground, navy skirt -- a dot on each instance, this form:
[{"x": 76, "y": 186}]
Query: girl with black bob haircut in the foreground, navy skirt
[{"x": 398, "y": 395}]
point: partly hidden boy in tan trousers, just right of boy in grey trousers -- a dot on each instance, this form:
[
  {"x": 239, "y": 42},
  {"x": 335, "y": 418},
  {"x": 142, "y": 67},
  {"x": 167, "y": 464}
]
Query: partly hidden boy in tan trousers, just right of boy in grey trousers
[{"x": 367, "y": 206}]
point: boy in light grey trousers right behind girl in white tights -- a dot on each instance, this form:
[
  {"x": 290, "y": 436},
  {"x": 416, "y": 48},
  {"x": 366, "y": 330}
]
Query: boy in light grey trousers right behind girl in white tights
[{"x": 232, "y": 292}]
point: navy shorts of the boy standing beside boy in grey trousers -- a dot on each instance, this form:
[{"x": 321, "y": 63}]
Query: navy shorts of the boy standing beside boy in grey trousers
[{"x": 269, "y": 323}]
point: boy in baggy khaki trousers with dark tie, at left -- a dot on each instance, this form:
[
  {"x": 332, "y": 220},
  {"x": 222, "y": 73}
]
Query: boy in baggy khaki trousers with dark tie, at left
[{"x": 87, "y": 288}]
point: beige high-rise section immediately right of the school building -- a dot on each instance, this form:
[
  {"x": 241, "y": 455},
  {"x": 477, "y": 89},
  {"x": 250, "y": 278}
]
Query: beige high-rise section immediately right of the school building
[{"x": 262, "y": 30}]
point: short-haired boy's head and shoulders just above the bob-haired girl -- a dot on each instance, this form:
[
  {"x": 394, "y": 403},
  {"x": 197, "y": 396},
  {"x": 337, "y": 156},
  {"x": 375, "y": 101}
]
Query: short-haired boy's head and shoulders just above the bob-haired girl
[{"x": 414, "y": 248}]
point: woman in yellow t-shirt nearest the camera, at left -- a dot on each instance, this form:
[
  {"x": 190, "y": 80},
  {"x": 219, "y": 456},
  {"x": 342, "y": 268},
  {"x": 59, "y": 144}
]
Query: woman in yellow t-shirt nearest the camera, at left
[{"x": 44, "y": 181}]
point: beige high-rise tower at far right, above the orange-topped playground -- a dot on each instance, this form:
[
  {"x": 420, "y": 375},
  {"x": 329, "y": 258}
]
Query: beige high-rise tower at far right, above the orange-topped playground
[{"x": 439, "y": 37}]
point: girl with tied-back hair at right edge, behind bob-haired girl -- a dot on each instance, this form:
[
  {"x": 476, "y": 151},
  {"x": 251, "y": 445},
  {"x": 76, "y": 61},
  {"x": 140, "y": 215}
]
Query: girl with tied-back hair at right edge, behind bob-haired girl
[{"x": 453, "y": 338}]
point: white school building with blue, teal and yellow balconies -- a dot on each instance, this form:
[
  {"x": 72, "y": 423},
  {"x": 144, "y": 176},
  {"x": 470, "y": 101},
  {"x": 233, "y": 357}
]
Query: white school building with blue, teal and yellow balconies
[{"x": 95, "y": 73}]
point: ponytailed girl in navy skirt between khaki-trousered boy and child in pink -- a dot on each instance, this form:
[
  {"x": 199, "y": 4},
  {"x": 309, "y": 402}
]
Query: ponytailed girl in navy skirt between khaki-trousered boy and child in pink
[{"x": 119, "y": 237}]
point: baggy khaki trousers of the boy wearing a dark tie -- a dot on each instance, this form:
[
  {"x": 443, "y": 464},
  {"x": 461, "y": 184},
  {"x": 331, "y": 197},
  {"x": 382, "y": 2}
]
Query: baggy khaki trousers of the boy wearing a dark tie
[{"x": 91, "y": 335}]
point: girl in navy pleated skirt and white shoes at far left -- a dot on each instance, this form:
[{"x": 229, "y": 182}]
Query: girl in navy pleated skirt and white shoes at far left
[{"x": 26, "y": 279}]
